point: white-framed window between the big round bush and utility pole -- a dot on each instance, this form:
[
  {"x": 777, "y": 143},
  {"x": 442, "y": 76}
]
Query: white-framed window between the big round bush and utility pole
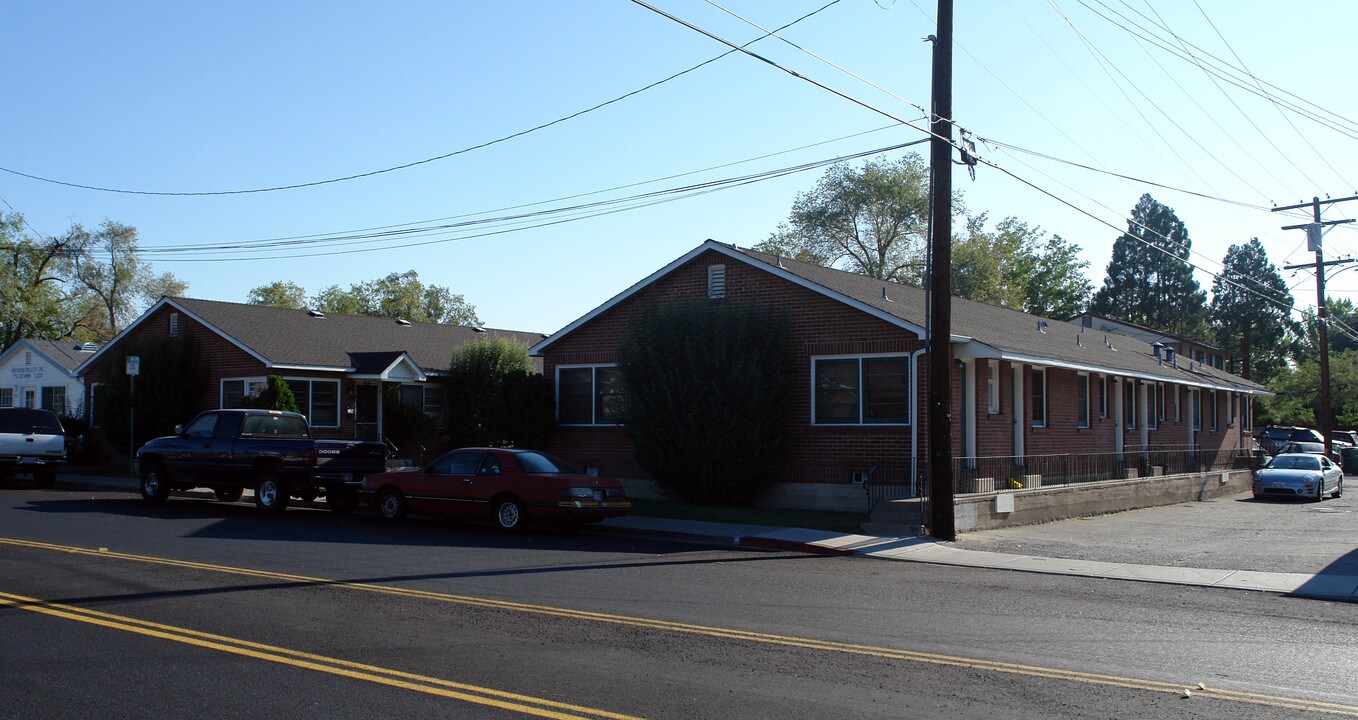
[{"x": 862, "y": 391}]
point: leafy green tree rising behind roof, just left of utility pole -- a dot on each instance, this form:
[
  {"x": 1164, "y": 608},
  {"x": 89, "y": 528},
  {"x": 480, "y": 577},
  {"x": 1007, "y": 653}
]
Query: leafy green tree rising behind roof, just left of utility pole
[{"x": 871, "y": 221}]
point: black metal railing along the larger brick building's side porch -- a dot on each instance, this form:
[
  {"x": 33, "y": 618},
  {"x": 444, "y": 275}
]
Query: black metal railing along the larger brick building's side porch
[{"x": 909, "y": 478}]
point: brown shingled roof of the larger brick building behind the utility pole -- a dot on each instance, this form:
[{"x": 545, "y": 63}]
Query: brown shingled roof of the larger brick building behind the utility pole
[{"x": 978, "y": 329}]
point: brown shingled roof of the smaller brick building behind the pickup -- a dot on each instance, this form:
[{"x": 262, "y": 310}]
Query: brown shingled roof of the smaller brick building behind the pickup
[{"x": 305, "y": 340}]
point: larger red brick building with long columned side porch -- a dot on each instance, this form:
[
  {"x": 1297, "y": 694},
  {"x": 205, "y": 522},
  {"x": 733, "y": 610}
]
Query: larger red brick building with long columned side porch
[{"x": 1025, "y": 385}]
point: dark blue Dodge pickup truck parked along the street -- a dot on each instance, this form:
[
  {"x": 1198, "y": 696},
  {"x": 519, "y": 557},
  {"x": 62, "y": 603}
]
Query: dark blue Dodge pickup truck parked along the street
[{"x": 270, "y": 452}]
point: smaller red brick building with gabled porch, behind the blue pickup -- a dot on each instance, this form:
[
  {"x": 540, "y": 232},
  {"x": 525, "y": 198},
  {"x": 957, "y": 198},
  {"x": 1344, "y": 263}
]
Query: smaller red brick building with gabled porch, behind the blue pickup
[{"x": 337, "y": 366}]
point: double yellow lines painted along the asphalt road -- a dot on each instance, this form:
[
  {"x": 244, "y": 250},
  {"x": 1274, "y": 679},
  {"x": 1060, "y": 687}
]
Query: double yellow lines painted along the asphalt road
[{"x": 492, "y": 698}]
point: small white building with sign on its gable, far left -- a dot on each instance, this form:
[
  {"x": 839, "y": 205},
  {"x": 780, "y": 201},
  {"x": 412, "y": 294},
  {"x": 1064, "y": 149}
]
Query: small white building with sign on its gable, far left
[{"x": 43, "y": 374}]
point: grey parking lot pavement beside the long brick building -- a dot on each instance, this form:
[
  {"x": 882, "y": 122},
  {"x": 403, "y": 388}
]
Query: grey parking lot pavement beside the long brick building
[{"x": 1235, "y": 533}]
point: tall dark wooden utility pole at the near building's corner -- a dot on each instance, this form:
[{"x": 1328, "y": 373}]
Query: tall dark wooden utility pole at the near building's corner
[{"x": 940, "y": 285}]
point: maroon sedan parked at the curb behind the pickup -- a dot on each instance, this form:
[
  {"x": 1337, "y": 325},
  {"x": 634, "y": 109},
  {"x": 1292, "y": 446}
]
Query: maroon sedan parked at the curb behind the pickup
[{"x": 511, "y": 487}]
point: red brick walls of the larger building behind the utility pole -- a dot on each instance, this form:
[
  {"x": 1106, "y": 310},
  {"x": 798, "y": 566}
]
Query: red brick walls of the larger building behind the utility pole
[{"x": 822, "y": 327}]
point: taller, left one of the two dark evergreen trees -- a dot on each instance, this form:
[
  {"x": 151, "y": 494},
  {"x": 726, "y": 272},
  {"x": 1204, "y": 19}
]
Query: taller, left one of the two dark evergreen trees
[{"x": 1150, "y": 281}]
